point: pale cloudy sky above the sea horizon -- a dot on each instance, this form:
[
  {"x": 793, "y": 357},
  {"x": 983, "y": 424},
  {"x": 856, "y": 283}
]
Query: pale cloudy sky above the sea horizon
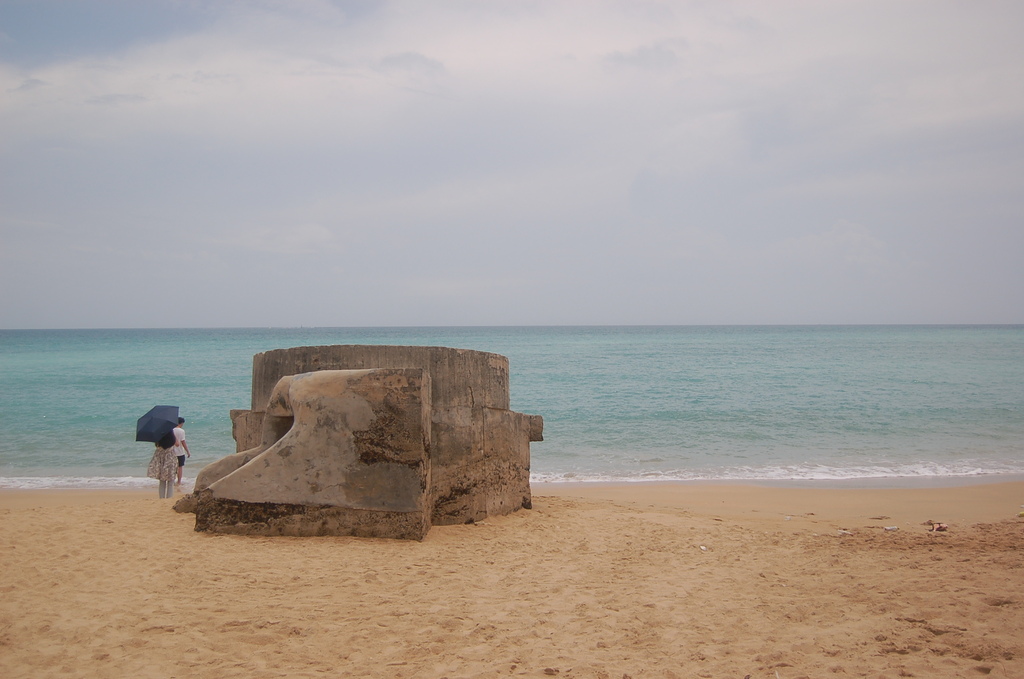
[{"x": 192, "y": 163}]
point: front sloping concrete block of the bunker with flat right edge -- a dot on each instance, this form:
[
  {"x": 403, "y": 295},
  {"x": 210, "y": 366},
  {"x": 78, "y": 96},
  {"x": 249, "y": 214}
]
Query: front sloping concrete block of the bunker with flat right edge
[{"x": 343, "y": 453}]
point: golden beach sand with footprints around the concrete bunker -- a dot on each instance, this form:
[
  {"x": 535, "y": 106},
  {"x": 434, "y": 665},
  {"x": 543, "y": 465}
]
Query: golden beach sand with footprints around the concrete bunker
[{"x": 595, "y": 581}]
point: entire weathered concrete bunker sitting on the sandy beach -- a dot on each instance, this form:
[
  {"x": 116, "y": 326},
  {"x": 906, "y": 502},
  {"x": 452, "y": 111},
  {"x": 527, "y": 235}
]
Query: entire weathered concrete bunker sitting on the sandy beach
[{"x": 370, "y": 441}]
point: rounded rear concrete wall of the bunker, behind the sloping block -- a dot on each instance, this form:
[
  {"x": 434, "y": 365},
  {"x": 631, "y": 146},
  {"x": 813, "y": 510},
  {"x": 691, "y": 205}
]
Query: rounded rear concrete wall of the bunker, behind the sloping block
[{"x": 480, "y": 450}]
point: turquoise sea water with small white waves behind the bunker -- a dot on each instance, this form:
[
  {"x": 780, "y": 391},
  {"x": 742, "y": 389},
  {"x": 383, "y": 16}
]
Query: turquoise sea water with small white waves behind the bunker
[{"x": 619, "y": 403}]
